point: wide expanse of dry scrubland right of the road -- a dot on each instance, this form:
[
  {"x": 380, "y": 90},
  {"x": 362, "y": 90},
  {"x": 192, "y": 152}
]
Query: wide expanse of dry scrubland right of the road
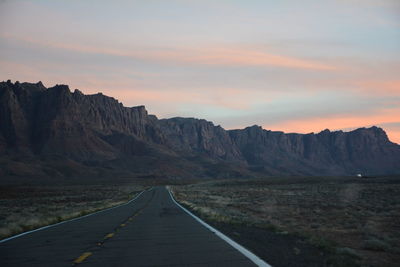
[{"x": 352, "y": 221}]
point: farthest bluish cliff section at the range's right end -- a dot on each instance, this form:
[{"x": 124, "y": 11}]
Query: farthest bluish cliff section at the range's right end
[{"x": 365, "y": 150}]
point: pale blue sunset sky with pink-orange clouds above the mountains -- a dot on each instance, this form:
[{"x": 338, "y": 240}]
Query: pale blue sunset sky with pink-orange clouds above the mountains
[{"x": 293, "y": 66}]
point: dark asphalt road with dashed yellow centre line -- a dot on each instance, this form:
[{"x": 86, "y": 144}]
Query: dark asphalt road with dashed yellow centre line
[{"x": 149, "y": 231}]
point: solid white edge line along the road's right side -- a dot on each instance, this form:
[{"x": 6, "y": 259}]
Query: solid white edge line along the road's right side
[{"x": 250, "y": 255}]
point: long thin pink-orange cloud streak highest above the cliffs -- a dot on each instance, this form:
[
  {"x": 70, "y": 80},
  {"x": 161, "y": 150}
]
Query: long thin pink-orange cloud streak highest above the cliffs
[{"x": 204, "y": 55}]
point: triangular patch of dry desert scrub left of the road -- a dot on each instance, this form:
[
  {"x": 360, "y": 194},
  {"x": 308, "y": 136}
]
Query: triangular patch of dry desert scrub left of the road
[{"x": 27, "y": 208}]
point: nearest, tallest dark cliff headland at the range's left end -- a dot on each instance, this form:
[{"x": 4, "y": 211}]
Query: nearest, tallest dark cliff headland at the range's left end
[{"x": 55, "y": 121}]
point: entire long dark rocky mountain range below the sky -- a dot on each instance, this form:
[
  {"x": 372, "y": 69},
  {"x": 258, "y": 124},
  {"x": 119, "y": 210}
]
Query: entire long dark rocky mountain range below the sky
[{"x": 53, "y": 132}]
